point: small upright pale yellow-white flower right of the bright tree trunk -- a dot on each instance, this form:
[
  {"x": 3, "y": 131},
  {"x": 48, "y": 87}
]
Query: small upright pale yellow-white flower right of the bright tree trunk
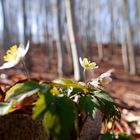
[{"x": 86, "y": 64}]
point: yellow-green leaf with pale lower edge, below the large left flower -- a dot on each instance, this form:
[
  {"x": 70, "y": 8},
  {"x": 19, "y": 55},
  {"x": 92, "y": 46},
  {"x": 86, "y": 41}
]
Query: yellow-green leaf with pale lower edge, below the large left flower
[{"x": 27, "y": 88}]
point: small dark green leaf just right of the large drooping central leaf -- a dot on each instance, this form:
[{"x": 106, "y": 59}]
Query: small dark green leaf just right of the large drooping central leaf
[{"x": 89, "y": 105}]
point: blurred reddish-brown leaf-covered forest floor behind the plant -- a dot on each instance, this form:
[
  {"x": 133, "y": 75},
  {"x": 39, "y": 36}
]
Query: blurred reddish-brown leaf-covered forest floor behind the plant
[{"x": 124, "y": 88}]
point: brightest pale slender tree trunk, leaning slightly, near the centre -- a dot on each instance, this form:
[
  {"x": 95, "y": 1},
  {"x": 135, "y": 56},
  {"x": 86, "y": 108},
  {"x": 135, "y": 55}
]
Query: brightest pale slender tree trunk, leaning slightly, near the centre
[{"x": 72, "y": 39}]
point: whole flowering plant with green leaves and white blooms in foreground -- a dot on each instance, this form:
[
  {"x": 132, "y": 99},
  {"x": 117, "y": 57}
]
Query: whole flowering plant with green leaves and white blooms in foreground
[{"x": 62, "y": 104}]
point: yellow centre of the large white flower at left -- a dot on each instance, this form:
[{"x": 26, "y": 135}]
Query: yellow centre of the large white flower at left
[{"x": 11, "y": 54}]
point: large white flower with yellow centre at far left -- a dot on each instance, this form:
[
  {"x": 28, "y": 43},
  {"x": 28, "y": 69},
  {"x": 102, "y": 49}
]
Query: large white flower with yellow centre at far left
[{"x": 14, "y": 55}]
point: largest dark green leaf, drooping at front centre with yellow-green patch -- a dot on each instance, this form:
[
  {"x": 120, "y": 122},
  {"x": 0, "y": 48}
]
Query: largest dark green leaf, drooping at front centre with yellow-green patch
[{"x": 60, "y": 117}]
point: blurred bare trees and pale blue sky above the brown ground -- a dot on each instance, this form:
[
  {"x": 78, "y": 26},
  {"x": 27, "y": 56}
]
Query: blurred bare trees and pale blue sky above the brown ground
[{"x": 73, "y": 26}]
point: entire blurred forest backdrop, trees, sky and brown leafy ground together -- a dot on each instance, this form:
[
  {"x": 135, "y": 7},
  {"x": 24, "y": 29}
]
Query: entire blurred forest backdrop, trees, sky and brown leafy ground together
[{"x": 61, "y": 31}]
